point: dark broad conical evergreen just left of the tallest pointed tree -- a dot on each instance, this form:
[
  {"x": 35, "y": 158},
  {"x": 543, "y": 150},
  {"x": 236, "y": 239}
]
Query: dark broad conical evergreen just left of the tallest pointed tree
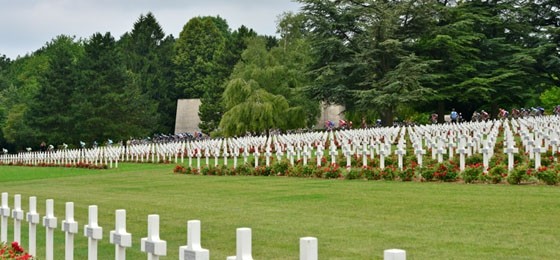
[{"x": 108, "y": 105}]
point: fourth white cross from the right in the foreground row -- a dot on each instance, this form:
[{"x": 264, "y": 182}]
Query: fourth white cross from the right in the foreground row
[{"x": 193, "y": 250}]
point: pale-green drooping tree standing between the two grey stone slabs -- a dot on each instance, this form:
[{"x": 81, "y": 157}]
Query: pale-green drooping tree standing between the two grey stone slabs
[{"x": 269, "y": 84}]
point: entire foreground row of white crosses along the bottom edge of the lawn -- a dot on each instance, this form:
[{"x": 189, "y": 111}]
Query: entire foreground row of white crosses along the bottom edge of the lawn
[{"x": 152, "y": 245}]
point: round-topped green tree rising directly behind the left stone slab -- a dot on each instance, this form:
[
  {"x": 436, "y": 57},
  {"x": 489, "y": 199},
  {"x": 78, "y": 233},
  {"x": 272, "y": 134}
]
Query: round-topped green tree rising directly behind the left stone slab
[{"x": 201, "y": 66}]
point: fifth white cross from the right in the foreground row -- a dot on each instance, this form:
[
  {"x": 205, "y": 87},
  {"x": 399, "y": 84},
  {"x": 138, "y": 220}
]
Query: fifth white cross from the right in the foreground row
[{"x": 153, "y": 245}]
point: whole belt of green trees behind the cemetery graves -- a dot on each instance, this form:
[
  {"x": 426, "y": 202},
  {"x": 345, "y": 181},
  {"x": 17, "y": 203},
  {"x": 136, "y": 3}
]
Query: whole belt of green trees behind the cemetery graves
[{"x": 382, "y": 59}]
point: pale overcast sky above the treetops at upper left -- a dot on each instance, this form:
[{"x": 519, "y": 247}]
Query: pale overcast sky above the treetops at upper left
[{"x": 26, "y": 25}]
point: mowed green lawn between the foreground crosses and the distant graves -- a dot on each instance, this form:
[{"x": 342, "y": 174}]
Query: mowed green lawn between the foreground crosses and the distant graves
[{"x": 351, "y": 219}]
